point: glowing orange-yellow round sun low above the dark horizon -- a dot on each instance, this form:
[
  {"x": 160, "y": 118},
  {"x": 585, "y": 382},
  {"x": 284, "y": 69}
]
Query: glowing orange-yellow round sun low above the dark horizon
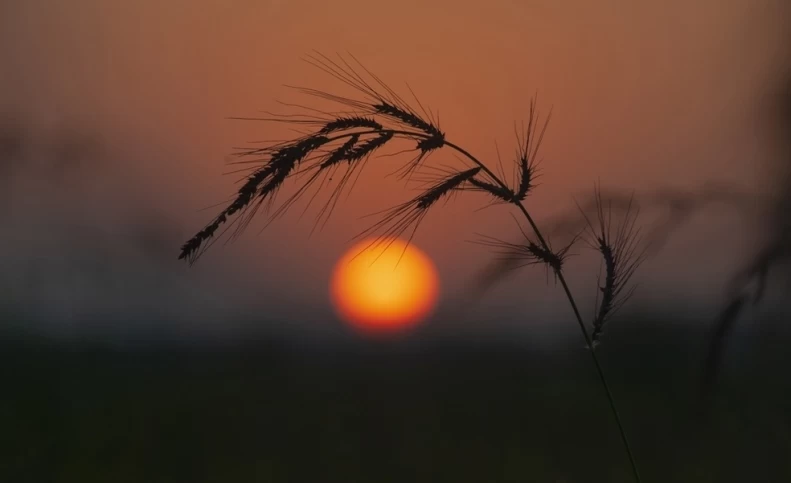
[{"x": 384, "y": 287}]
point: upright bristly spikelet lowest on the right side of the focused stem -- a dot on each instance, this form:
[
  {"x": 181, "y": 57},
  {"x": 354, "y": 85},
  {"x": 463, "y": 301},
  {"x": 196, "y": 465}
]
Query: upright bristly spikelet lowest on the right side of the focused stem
[{"x": 621, "y": 252}]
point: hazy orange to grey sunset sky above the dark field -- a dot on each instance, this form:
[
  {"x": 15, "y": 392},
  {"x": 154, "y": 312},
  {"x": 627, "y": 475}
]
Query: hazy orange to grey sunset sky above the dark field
[{"x": 114, "y": 138}]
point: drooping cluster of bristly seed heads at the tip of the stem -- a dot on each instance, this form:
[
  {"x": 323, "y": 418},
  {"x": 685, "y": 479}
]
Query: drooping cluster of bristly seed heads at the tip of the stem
[{"x": 379, "y": 117}]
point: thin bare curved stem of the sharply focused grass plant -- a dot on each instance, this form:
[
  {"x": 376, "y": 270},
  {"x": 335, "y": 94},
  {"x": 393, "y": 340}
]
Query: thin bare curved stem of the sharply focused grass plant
[{"x": 573, "y": 304}]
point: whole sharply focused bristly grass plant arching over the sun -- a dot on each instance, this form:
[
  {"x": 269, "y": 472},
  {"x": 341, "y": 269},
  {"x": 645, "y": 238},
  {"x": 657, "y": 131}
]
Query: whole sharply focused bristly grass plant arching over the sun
[{"x": 344, "y": 141}]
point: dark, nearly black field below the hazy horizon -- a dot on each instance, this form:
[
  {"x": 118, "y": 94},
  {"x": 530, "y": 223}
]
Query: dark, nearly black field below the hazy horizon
[{"x": 272, "y": 411}]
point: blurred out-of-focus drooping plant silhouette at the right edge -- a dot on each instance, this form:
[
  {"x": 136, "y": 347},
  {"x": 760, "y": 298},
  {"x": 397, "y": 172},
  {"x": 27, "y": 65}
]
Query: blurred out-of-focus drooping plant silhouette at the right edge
[{"x": 746, "y": 287}]
